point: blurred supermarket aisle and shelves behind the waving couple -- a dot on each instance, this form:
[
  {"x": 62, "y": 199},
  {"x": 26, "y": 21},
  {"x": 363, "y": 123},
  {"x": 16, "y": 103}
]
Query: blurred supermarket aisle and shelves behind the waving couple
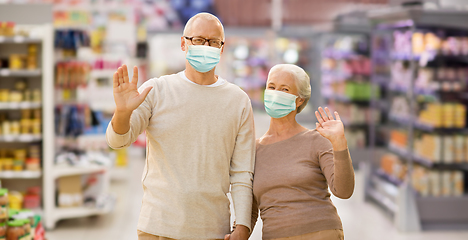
[{"x": 395, "y": 70}]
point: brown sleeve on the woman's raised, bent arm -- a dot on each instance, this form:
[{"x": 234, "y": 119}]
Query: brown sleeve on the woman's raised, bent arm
[{"x": 337, "y": 168}]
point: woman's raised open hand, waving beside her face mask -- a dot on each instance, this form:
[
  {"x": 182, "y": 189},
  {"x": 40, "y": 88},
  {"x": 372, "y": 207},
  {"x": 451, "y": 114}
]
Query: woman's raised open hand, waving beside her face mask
[{"x": 328, "y": 127}]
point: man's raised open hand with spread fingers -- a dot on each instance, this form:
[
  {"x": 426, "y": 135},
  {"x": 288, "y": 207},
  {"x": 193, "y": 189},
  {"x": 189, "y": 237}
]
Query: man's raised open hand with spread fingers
[{"x": 126, "y": 95}]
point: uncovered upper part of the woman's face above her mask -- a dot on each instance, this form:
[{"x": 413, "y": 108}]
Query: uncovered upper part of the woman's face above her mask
[{"x": 284, "y": 82}]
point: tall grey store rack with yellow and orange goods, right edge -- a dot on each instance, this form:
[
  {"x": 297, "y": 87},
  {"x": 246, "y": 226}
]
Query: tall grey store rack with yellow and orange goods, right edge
[{"x": 420, "y": 191}]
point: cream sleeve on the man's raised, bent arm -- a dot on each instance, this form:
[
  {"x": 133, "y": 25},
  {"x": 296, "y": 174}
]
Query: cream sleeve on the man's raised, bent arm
[{"x": 138, "y": 122}]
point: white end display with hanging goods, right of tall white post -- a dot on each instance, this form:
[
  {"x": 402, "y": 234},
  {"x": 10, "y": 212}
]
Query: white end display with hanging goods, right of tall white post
[{"x": 81, "y": 151}]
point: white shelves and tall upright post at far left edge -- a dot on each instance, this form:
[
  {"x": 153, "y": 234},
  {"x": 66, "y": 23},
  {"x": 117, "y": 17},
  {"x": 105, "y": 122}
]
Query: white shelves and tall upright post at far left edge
[{"x": 39, "y": 27}]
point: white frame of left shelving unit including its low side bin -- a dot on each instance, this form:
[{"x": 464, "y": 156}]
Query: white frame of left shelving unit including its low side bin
[{"x": 43, "y": 77}]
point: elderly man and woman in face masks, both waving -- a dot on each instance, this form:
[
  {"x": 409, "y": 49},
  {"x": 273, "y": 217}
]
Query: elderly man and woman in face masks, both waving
[{"x": 201, "y": 146}]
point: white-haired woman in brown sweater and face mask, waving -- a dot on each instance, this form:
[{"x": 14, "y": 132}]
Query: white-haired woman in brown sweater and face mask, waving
[{"x": 295, "y": 166}]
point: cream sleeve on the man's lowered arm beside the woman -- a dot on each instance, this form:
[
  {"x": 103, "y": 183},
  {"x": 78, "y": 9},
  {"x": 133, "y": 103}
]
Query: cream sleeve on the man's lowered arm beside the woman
[{"x": 241, "y": 169}]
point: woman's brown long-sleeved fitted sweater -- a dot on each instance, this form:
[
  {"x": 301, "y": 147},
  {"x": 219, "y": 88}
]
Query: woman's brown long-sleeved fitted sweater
[{"x": 291, "y": 184}]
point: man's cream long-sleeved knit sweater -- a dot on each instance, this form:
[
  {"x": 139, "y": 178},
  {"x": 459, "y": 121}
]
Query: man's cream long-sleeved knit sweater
[{"x": 200, "y": 142}]
